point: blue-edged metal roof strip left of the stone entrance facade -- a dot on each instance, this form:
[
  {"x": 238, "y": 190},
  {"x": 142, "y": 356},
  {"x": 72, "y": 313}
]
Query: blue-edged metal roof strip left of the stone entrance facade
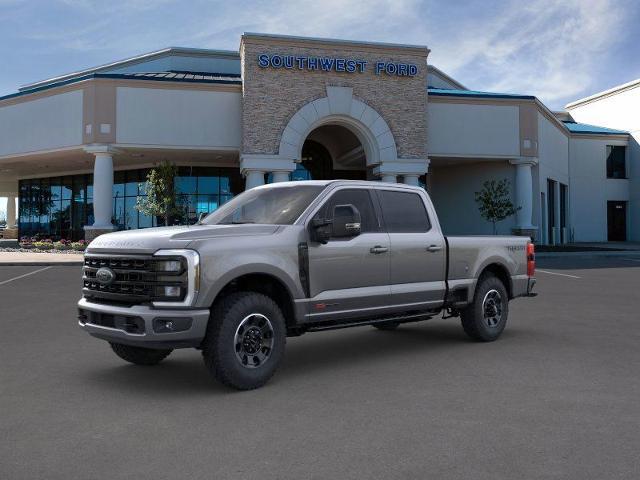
[{"x": 188, "y": 77}]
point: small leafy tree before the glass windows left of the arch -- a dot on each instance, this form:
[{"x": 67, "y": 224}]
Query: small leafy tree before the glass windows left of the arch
[{"x": 162, "y": 199}]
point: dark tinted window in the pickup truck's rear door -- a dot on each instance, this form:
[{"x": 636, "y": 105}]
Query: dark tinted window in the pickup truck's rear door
[{"x": 404, "y": 212}]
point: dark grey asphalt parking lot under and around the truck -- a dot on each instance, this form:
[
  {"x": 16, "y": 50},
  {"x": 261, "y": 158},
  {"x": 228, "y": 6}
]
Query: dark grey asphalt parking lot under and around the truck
[{"x": 558, "y": 396}]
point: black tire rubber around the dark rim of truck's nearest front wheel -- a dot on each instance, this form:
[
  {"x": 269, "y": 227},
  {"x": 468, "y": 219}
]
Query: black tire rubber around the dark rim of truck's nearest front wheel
[{"x": 219, "y": 346}]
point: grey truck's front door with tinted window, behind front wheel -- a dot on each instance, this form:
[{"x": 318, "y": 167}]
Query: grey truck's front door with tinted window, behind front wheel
[{"x": 349, "y": 277}]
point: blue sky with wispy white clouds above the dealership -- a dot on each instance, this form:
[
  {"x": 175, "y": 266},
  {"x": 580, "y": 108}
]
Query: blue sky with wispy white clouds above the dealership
[{"x": 557, "y": 50}]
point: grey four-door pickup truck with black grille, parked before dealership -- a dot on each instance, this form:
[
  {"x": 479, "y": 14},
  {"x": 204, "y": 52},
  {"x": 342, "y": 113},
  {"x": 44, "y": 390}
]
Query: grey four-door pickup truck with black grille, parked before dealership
[{"x": 288, "y": 258}]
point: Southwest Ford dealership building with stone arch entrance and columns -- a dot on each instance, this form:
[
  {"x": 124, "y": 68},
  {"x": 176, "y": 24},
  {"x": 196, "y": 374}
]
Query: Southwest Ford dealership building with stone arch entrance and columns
[{"x": 75, "y": 149}]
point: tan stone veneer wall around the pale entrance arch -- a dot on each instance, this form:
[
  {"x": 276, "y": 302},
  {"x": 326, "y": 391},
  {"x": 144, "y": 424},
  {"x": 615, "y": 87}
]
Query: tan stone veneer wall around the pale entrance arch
[{"x": 272, "y": 96}]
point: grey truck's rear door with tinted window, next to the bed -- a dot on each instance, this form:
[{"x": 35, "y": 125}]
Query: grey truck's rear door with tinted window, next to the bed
[{"x": 418, "y": 253}]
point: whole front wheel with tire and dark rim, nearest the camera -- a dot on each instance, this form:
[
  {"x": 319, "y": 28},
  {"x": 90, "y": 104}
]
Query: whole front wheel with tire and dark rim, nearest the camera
[{"x": 245, "y": 340}]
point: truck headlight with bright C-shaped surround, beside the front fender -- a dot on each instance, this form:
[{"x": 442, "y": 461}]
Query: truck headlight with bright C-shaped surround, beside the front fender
[{"x": 182, "y": 264}]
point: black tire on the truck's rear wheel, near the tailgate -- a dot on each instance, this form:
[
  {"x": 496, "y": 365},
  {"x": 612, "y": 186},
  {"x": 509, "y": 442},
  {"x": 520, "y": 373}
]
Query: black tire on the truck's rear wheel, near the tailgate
[{"x": 474, "y": 321}]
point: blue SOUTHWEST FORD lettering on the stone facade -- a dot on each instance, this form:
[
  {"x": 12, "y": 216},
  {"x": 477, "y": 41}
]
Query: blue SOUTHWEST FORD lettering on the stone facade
[{"x": 334, "y": 64}]
